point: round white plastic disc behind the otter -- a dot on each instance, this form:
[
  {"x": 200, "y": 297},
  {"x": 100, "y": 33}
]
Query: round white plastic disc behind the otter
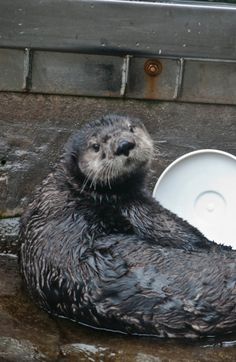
[{"x": 200, "y": 187}]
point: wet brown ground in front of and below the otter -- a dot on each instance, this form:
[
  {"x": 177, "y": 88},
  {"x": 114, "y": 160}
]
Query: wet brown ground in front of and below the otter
[{"x": 29, "y": 334}]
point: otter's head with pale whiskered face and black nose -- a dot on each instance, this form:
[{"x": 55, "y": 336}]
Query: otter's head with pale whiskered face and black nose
[{"x": 109, "y": 151}]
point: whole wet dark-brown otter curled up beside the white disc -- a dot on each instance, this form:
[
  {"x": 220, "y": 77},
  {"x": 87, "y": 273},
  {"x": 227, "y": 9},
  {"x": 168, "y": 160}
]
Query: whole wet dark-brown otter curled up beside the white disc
[{"x": 97, "y": 249}]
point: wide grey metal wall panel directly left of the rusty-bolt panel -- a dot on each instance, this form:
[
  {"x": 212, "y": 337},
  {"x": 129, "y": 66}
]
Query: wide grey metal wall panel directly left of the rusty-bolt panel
[{"x": 77, "y": 74}]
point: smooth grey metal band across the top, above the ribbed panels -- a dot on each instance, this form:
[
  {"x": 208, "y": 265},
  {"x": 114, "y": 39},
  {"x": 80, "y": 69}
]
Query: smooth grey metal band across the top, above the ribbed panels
[{"x": 193, "y": 29}]
